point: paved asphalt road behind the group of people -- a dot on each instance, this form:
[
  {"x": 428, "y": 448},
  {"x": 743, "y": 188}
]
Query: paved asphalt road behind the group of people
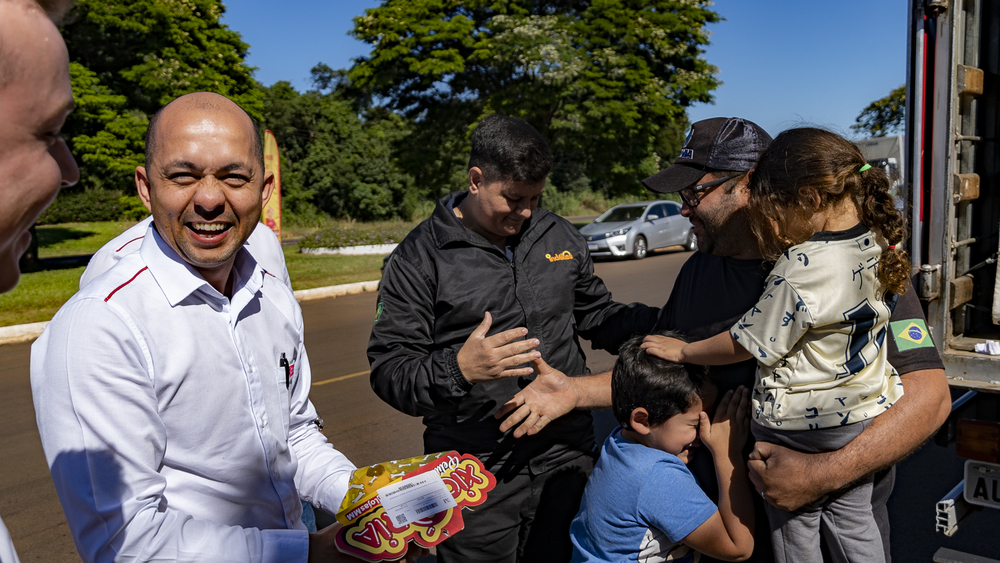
[{"x": 368, "y": 431}]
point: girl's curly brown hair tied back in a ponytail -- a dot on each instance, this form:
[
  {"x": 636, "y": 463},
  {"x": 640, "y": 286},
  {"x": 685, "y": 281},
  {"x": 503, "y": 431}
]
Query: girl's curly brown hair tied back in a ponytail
[{"x": 781, "y": 202}]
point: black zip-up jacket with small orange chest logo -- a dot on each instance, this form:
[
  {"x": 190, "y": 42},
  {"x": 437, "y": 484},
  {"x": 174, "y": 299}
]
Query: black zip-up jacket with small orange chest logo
[{"x": 435, "y": 288}]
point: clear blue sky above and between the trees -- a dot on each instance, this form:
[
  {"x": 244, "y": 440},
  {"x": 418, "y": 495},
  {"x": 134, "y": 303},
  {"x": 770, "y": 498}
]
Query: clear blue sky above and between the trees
[{"x": 782, "y": 62}]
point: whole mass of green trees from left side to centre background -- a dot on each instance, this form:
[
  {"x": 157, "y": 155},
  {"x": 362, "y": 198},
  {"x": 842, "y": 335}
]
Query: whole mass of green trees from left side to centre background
[{"x": 605, "y": 81}]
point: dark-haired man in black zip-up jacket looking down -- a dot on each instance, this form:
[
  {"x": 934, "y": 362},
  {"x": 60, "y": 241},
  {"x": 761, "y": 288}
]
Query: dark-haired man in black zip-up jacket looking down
[{"x": 487, "y": 286}]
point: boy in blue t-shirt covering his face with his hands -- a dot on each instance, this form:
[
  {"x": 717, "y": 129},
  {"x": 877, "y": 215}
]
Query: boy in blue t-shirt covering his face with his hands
[{"x": 641, "y": 502}]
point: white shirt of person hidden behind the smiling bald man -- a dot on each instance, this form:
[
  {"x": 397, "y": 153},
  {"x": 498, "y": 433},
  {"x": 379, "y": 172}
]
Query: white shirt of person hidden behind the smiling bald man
[{"x": 262, "y": 244}]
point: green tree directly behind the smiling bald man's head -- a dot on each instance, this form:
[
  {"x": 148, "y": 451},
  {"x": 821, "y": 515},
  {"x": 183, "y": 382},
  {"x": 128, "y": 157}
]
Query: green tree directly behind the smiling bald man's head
[{"x": 128, "y": 59}]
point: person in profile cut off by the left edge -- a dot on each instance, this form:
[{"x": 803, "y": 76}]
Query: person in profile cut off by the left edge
[{"x": 35, "y": 98}]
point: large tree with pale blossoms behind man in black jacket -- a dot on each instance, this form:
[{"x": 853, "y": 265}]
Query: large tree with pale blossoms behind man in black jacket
[{"x": 606, "y": 82}]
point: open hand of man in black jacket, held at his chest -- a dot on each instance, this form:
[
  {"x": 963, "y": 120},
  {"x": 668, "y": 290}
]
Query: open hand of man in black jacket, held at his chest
[{"x": 485, "y": 358}]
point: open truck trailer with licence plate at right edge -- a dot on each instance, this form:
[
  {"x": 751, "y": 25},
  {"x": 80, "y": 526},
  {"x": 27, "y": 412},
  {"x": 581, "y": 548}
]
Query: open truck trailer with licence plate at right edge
[{"x": 951, "y": 191}]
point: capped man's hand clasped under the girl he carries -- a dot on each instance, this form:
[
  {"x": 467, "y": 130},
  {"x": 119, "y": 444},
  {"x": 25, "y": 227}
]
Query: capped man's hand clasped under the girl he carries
[{"x": 786, "y": 478}]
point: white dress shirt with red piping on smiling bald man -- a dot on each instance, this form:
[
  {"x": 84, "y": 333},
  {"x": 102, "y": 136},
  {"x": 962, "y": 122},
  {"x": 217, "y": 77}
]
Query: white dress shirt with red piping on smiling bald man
[{"x": 166, "y": 421}]
